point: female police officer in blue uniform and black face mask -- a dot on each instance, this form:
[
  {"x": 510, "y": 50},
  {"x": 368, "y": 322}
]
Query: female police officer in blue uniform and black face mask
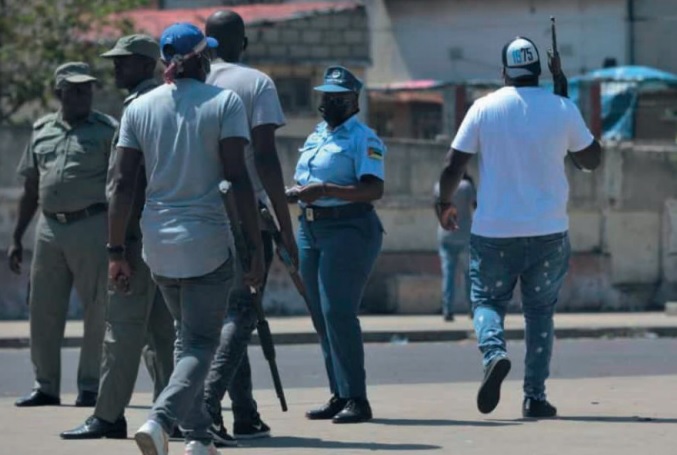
[{"x": 339, "y": 174}]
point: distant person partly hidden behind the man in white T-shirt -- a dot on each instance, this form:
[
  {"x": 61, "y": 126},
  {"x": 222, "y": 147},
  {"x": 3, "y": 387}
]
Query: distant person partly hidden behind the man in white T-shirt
[{"x": 453, "y": 246}]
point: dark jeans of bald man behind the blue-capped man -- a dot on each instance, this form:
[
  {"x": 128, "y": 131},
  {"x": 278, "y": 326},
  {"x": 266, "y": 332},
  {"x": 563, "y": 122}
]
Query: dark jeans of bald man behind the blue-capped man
[{"x": 230, "y": 370}]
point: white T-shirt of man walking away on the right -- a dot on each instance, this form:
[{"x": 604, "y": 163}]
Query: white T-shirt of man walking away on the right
[{"x": 522, "y": 136}]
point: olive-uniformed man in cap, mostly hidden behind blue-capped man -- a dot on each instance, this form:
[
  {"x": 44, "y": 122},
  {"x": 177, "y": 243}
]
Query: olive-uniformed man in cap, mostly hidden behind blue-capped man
[{"x": 140, "y": 317}]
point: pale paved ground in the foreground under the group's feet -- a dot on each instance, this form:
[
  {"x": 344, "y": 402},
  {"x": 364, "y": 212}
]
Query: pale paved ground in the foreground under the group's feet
[{"x": 604, "y": 416}]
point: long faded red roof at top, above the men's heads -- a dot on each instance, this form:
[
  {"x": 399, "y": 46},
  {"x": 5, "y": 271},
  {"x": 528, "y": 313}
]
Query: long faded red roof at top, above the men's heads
[{"x": 153, "y": 21}]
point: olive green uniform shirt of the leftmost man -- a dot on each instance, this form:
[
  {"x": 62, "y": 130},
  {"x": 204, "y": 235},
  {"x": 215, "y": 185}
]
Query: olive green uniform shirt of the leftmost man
[{"x": 71, "y": 162}]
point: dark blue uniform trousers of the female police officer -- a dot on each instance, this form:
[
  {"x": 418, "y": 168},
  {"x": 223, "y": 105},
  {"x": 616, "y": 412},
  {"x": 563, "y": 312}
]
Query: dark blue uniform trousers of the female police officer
[{"x": 336, "y": 258}]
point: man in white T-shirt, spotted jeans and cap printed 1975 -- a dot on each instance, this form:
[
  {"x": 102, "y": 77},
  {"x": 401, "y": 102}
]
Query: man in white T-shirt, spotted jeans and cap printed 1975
[{"x": 521, "y": 134}]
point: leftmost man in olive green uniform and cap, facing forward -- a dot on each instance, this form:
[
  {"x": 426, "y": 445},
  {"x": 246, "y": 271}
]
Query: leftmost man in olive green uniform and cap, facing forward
[{"x": 65, "y": 167}]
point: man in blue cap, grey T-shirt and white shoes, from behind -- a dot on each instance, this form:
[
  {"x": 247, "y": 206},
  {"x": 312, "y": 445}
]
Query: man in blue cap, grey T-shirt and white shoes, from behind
[{"x": 189, "y": 136}]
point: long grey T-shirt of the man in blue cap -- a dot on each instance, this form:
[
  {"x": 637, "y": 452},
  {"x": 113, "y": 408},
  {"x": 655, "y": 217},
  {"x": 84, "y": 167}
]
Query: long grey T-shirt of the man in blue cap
[{"x": 178, "y": 127}]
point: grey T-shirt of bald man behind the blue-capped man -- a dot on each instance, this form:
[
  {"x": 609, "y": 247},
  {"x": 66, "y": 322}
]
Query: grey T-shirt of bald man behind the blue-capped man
[{"x": 259, "y": 95}]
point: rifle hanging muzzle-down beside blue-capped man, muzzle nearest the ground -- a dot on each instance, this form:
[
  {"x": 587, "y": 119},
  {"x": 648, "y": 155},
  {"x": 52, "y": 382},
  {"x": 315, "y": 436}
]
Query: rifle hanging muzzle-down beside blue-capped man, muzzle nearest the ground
[{"x": 262, "y": 327}]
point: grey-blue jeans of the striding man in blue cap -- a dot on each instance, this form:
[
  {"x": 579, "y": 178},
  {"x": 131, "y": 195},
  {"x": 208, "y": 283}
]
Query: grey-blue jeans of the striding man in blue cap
[{"x": 198, "y": 306}]
